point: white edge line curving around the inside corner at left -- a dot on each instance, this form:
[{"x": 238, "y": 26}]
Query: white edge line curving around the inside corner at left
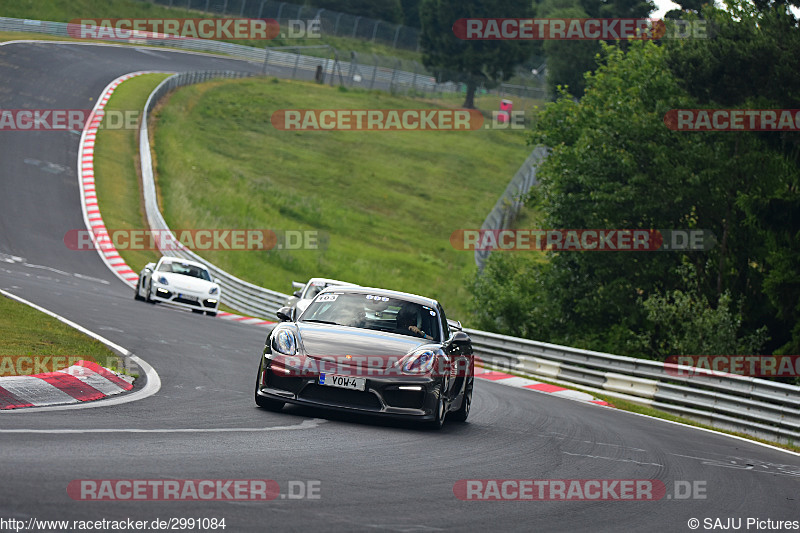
[{"x": 152, "y": 385}]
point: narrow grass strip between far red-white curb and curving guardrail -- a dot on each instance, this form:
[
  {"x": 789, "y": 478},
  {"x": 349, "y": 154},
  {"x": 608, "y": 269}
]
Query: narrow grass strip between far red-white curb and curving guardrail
[{"x": 116, "y": 163}]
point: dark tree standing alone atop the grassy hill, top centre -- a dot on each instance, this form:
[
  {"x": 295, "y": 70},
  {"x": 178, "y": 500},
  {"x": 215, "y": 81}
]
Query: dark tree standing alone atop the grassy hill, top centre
[{"x": 470, "y": 62}]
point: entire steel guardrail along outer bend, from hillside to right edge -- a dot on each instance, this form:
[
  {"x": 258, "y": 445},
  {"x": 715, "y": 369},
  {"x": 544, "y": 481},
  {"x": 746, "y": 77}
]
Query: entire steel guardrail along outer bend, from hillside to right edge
[{"x": 754, "y": 406}]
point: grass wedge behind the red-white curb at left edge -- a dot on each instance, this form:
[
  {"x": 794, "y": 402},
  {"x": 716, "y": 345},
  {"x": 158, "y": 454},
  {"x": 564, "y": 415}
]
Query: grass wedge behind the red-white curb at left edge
[{"x": 26, "y": 331}]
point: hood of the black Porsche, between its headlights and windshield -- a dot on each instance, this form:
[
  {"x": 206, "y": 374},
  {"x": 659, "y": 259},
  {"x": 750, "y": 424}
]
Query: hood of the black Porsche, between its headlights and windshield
[{"x": 320, "y": 340}]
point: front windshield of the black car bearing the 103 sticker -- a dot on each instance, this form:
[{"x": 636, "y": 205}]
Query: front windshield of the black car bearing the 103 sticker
[{"x": 369, "y": 311}]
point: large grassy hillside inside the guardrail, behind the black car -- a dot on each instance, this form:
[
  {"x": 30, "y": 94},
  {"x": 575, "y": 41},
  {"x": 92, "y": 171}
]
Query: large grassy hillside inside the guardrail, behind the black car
[{"x": 387, "y": 201}]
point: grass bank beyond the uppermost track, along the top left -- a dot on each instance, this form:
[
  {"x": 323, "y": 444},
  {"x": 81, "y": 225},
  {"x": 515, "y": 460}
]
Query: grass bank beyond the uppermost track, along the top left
[{"x": 67, "y": 10}]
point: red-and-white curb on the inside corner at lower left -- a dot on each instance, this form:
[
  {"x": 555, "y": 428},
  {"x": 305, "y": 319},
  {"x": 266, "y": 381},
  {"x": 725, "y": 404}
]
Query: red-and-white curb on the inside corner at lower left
[{"x": 82, "y": 382}]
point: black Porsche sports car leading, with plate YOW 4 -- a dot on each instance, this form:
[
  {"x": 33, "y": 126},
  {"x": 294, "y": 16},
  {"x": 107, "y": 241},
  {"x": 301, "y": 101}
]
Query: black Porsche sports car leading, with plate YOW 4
[{"x": 373, "y": 351}]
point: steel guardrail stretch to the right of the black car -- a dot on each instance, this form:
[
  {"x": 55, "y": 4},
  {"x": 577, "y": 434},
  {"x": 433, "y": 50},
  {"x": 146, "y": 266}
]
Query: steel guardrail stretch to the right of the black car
[{"x": 754, "y": 406}]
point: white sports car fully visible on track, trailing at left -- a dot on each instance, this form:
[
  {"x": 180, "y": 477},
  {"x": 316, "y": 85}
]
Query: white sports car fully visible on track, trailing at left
[{"x": 180, "y": 282}]
